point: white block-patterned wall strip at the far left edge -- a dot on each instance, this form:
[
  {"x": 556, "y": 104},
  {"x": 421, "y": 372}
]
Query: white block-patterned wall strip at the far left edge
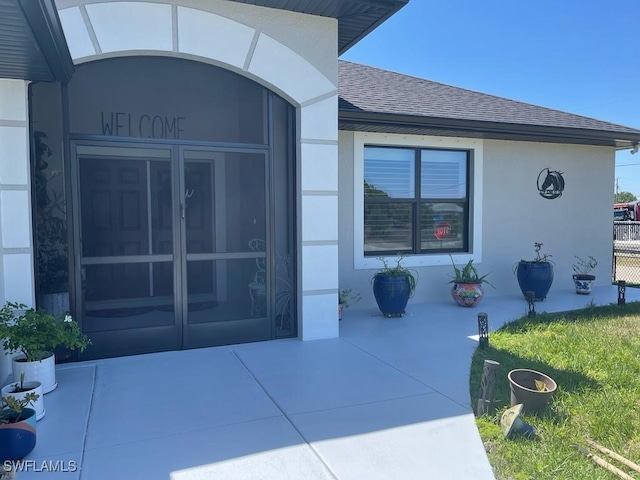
[{"x": 16, "y": 251}]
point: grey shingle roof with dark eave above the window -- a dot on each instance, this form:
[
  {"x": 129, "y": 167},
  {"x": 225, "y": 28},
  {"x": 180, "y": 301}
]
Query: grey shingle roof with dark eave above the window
[{"x": 376, "y": 96}]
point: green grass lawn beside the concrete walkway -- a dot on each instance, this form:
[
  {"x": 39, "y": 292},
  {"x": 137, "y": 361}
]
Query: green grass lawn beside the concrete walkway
[{"x": 594, "y": 356}]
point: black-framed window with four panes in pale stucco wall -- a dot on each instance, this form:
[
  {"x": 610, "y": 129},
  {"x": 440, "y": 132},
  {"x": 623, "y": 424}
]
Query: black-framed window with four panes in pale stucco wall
[{"x": 416, "y": 200}]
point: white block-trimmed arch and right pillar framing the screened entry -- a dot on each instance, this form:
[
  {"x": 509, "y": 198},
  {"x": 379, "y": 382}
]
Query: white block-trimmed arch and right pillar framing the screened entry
[{"x": 294, "y": 55}]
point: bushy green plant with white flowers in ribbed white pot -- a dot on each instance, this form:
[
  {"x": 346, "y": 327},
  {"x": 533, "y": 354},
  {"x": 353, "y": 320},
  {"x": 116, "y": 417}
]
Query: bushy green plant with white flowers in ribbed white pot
[{"x": 36, "y": 333}]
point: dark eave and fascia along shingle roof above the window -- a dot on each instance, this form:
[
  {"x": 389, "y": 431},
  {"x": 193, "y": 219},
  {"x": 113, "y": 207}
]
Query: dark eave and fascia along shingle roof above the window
[{"x": 392, "y": 123}]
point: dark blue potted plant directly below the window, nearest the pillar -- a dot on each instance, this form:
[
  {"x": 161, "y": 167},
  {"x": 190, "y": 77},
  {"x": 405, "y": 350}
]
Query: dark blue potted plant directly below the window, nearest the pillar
[{"x": 393, "y": 286}]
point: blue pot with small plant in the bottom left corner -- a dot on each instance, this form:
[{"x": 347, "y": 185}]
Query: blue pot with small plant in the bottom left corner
[{"x": 17, "y": 427}]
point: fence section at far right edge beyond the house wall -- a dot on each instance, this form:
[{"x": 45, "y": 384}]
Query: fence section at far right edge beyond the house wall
[{"x": 626, "y": 252}]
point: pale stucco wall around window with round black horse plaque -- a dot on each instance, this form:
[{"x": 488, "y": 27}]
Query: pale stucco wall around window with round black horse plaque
[{"x": 513, "y": 215}]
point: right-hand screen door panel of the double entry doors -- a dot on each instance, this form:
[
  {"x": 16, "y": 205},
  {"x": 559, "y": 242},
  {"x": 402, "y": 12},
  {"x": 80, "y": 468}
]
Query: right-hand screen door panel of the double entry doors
[{"x": 225, "y": 225}]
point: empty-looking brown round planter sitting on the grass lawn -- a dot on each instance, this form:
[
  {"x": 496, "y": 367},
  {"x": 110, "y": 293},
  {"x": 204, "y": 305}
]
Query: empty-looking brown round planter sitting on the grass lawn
[{"x": 523, "y": 389}]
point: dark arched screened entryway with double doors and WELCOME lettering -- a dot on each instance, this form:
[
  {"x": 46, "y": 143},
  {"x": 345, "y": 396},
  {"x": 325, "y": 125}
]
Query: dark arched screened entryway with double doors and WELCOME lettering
[{"x": 179, "y": 195}]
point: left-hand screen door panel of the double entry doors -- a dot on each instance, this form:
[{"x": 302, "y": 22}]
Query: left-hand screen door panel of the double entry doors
[{"x": 126, "y": 239}]
